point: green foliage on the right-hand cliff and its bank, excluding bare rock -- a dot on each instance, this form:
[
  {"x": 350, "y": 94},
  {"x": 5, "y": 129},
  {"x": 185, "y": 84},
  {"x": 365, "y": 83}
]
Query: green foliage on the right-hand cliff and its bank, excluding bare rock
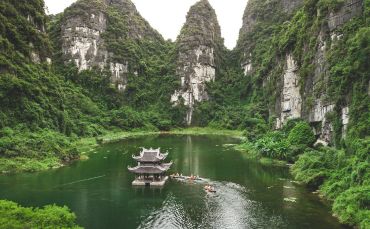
[{"x": 341, "y": 174}]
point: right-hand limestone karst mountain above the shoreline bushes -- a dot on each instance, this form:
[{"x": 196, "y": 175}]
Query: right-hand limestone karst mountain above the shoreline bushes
[{"x": 294, "y": 96}]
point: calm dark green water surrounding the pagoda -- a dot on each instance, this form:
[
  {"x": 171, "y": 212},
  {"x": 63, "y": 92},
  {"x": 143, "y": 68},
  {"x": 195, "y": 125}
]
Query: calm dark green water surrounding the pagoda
[{"x": 99, "y": 191}]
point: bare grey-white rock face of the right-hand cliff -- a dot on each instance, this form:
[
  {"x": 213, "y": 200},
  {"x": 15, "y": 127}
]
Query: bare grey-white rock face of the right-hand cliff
[{"x": 298, "y": 97}]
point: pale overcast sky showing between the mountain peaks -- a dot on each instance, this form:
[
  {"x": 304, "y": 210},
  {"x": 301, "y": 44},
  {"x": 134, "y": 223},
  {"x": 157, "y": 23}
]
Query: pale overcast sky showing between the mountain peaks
[{"x": 168, "y": 16}]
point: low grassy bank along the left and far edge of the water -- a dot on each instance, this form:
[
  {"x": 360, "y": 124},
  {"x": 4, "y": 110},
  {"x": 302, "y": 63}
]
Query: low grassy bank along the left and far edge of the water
[{"x": 79, "y": 147}]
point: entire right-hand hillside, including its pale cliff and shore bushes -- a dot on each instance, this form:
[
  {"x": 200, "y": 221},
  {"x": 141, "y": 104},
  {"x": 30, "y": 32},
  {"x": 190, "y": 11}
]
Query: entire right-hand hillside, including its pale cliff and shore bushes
[{"x": 310, "y": 65}]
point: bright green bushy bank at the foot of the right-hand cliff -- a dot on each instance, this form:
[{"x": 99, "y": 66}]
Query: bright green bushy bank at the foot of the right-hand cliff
[{"x": 340, "y": 176}]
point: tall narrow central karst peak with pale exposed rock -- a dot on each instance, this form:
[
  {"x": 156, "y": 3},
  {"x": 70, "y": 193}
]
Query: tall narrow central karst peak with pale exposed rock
[{"x": 198, "y": 46}]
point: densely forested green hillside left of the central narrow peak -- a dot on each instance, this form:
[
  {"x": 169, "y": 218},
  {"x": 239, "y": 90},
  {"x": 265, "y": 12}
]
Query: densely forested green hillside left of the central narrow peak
[{"x": 48, "y": 103}]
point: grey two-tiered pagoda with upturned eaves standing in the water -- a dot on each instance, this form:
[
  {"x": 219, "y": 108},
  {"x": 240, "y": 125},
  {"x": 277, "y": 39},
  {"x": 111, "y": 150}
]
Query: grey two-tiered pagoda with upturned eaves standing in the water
[{"x": 150, "y": 170}]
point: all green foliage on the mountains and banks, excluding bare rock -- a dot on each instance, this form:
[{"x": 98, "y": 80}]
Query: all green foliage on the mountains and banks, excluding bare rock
[{"x": 46, "y": 108}]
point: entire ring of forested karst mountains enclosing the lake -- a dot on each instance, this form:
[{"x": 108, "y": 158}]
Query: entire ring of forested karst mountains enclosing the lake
[{"x": 297, "y": 84}]
